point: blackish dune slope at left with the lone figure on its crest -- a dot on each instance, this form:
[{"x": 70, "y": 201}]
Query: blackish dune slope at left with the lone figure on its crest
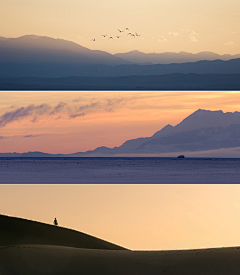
[{"x": 17, "y": 231}]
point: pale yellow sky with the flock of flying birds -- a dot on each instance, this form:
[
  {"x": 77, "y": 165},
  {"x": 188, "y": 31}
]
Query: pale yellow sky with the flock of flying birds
[{"x": 166, "y": 25}]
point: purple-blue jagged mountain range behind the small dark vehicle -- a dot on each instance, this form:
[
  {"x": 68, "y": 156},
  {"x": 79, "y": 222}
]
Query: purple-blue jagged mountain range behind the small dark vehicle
[{"x": 201, "y": 131}]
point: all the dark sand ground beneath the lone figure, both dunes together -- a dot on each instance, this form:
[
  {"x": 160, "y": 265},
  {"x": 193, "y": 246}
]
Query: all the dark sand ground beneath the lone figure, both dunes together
[{"x": 29, "y": 247}]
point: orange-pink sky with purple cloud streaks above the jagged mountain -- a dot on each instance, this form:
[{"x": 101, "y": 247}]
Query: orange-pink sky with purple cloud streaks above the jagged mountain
[{"x": 69, "y": 122}]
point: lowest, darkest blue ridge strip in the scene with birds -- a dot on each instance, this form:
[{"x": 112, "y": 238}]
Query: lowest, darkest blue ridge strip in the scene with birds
[{"x": 167, "y": 82}]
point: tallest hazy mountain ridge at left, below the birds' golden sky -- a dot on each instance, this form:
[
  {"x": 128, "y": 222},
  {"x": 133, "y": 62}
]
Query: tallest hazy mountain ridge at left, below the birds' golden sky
[{"x": 41, "y": 49}]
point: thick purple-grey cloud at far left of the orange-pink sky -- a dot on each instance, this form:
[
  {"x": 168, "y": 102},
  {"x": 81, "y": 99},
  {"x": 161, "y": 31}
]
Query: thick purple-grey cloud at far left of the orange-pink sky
[{"x": 23, "y": 112}]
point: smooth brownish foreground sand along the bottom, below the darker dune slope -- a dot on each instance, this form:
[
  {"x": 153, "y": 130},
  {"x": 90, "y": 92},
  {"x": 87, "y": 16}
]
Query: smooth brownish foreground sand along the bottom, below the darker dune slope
[{"x": 57, "y": 260}]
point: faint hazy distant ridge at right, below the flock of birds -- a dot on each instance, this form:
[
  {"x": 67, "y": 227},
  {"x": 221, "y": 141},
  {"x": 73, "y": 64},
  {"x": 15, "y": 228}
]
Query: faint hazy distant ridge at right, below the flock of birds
[{"x": 172, "y": 57}]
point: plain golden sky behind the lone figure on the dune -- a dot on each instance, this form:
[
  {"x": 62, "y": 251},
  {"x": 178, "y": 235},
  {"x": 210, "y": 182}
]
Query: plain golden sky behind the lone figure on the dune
[{"x": 147, "y": 217}]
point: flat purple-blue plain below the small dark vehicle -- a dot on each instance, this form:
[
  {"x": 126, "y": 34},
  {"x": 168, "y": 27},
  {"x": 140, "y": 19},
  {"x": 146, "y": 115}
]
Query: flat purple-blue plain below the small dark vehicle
[{"x": 119, "y": 170}]
